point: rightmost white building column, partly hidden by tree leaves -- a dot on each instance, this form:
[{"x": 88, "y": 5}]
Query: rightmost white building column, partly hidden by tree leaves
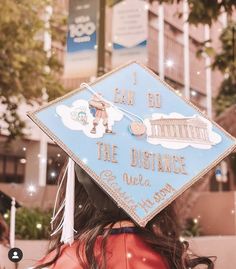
[{"x": 208, "y": 75}]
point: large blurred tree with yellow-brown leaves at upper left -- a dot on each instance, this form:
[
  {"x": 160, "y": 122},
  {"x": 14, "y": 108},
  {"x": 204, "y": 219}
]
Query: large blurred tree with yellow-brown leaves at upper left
[{"x": 26, "y": 71}]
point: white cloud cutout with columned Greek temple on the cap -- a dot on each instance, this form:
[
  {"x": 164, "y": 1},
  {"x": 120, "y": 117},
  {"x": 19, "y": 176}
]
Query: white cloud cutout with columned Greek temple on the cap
[{"x": 205, "y": 140}]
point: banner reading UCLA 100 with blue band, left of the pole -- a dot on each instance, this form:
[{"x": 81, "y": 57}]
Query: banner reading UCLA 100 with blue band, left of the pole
[{"x": 81, "y": 56}]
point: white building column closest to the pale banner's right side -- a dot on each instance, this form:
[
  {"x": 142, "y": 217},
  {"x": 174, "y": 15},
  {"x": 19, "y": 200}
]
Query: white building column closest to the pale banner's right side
[{"x": 161, "y": 41}]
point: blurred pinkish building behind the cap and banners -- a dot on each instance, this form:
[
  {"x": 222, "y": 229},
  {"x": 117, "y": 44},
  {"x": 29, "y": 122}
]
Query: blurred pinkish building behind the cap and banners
[{"x": 35, "y": 160}]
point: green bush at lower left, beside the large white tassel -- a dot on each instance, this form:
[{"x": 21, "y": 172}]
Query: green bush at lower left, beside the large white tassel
[{"x": 32, "y": 224}]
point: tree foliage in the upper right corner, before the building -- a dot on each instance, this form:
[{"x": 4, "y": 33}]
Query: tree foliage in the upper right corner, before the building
[{"x": 206, "y": 12}]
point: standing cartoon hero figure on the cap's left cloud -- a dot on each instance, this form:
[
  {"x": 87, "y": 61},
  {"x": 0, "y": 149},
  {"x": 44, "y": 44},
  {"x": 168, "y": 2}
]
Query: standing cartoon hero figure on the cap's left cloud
[{"x": 98, "y": 108}]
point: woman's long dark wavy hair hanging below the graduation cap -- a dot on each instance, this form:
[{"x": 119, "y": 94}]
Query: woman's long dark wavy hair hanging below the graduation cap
[{"x": 161, "y": 234}]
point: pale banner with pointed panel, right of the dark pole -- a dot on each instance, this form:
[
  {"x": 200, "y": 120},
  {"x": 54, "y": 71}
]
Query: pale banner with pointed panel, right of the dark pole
[{"x": 129, "y": 32}]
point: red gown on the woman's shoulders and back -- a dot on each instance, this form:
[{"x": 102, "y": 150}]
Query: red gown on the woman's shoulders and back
[{"x": 124, "y": 251}]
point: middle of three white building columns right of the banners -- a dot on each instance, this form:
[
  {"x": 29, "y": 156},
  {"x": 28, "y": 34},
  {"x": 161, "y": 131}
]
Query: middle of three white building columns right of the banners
[{"x": 186, "y": 50}]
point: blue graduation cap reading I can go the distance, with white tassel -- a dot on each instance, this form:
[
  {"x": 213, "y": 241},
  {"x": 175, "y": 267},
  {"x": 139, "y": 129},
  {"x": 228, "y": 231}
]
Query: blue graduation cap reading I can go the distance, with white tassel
[{"x": 138, "y": 140}]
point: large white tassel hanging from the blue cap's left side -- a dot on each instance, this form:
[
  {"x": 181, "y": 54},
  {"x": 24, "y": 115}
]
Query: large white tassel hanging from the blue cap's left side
[{"x": 67, "y": 236}]
